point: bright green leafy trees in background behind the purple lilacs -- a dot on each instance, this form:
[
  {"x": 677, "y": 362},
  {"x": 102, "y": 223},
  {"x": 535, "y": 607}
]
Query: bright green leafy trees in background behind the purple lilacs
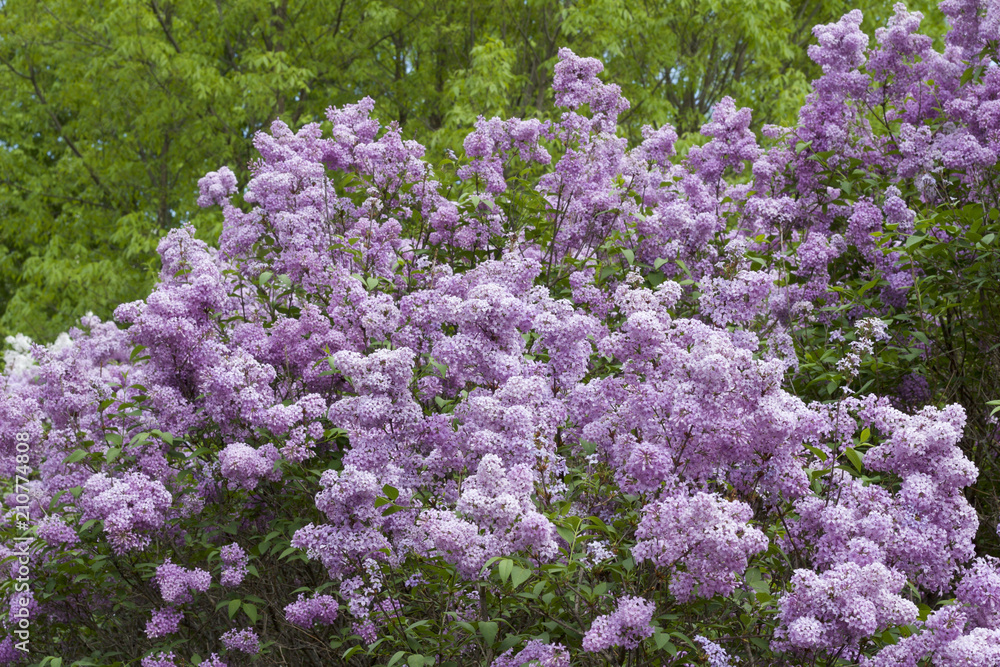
[{"x": 110, "y": 111}]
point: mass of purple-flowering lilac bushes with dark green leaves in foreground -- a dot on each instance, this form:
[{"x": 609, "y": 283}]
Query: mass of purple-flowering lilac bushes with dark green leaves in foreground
[{"x": 558, "y": 400}]
